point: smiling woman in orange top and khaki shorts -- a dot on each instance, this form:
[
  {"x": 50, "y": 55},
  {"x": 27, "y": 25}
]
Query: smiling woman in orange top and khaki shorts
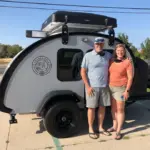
[{"x": 120, "y": 81}]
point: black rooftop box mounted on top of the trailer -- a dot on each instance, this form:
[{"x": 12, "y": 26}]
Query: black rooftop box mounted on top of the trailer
[{"x": 77, "y": 22}]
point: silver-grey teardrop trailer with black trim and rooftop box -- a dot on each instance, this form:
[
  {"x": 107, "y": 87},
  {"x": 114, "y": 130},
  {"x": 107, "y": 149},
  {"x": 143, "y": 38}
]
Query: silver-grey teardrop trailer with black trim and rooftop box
[{"x": 44, "y": 77}]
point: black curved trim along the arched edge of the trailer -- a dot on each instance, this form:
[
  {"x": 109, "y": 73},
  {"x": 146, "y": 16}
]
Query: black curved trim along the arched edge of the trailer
[{"x": 8, "y": 73}]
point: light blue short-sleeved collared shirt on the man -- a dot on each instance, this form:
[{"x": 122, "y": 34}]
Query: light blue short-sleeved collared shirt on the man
[{"x": 97, "y": 68}]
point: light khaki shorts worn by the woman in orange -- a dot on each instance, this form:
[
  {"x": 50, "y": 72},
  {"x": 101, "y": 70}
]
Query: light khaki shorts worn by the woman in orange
[{"x": 117, "y": 92}]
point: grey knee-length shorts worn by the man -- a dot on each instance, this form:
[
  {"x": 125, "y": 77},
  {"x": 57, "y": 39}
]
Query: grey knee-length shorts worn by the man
[{"x": 101, "y": 97}]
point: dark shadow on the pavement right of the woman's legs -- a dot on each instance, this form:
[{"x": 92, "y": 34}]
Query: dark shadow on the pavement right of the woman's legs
[{"x": 137, "y": 116}]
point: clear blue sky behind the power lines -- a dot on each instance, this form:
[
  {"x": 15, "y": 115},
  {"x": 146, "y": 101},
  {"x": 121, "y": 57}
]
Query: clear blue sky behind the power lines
[{"x": 15, "y": 22}]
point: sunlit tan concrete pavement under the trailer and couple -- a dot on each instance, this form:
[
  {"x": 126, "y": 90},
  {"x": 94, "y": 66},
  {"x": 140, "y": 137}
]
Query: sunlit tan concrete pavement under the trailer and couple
[{"x": 29, "y": 133}]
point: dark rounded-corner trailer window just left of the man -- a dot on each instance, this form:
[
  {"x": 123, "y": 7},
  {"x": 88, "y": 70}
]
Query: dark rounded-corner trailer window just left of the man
[{"x": 69, "y": 64}]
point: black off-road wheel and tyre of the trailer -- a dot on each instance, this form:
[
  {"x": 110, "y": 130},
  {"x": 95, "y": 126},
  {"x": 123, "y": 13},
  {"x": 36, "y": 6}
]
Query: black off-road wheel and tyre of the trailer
[{"x": 62, "y": 119}]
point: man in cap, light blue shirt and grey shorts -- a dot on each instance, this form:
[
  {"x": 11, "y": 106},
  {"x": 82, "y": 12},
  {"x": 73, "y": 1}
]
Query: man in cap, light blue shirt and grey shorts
[{"x": 94, "y": 73}]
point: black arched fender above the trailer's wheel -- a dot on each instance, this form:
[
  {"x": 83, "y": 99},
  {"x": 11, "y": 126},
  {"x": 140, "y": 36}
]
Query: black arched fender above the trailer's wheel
[{"x": 56, "y": 96}]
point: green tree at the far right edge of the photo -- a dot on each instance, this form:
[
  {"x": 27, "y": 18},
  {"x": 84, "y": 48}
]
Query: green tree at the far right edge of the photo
[{"x": 146, "y": 49}]
